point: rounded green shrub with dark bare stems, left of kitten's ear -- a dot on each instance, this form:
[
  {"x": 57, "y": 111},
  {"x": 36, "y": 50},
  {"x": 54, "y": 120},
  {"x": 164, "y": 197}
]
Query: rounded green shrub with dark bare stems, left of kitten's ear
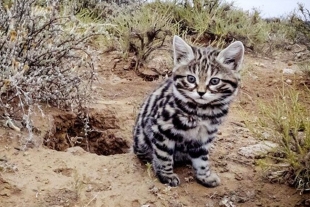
[{"x": 141, "y": 29}]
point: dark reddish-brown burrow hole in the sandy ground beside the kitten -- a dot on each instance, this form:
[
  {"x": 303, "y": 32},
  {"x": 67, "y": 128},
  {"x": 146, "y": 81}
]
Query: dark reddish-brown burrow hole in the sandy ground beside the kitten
[{"x": 95, "y": 133}]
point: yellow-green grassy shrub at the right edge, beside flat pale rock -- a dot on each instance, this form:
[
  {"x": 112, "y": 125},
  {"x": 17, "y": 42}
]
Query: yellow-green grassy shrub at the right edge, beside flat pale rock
[{"x": 287, "y": 119}]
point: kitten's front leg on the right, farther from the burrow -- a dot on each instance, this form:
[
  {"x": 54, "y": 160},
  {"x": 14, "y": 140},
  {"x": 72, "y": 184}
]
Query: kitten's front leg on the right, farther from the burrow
[{"x": 201, "y": 165}]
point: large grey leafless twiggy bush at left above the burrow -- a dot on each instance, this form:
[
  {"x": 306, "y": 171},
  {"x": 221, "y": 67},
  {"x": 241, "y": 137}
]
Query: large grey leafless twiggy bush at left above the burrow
[{"x": 45, "y": 58}]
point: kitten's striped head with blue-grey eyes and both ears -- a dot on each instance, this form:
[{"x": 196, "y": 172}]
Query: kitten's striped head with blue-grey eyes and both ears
[{"x": 205, "y": 75}]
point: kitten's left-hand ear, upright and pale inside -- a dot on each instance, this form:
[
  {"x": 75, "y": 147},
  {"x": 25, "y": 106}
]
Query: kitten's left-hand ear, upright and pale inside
[{"x": 182, "y": 52}]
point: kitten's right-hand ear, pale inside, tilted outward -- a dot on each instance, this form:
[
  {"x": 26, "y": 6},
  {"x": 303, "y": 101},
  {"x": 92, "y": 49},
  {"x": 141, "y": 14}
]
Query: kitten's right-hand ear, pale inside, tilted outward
[{"x": 232, "y": 56}]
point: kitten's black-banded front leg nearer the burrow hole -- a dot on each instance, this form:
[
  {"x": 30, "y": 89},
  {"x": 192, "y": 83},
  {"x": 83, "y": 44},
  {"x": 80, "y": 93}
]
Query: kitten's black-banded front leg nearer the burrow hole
[{"x": 163, "y": 162}]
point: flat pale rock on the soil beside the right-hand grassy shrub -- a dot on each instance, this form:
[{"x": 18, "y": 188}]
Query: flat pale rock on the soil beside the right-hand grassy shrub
[{"x": 256, "y": 150}]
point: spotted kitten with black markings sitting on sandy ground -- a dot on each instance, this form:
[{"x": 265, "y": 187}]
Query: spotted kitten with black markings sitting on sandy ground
[{"x": 180, "y": 119}]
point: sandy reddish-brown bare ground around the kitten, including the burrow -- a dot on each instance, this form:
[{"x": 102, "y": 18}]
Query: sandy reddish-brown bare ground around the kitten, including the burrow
[{"x": 42, "y": 176}]
